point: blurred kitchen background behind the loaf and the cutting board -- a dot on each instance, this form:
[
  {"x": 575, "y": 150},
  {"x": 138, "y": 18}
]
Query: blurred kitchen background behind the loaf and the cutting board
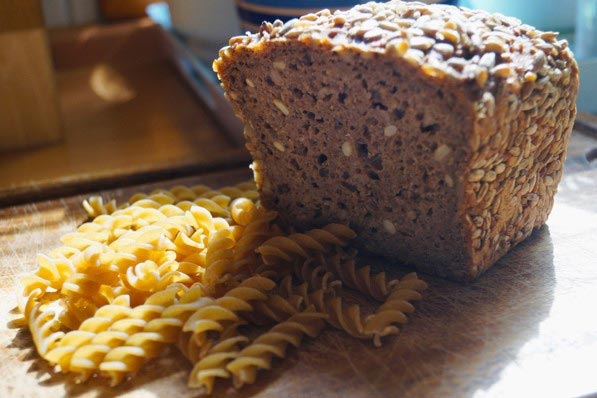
[{"x": 104, "y": 93}]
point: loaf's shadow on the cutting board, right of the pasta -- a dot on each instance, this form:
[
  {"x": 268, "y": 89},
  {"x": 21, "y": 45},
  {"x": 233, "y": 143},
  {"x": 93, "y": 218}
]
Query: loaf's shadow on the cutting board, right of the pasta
[{"x": 458, "y": 341}]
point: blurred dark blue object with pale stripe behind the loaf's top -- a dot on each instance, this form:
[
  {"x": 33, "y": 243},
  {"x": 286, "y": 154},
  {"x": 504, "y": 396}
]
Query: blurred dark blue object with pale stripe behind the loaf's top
[{"x": 253, "y": 12}]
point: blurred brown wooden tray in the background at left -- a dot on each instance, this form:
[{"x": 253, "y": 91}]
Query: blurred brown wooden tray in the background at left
[{"x": 128, "y": 116}]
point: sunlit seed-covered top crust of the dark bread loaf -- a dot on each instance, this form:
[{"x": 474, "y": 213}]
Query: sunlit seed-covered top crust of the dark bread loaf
[{"x": 474, "y": 47}]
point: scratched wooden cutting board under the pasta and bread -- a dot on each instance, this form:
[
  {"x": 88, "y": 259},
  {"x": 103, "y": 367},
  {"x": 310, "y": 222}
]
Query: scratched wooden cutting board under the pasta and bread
[{"x": 526, "y": 328}]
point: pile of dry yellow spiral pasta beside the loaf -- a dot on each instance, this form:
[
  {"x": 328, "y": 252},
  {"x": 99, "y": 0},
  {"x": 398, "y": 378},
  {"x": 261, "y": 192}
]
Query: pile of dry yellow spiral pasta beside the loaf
[{"x": 208, "y": 271}]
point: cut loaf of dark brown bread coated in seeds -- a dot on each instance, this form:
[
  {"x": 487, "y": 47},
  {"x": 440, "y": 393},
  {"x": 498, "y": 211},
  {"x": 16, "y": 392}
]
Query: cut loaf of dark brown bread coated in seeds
[{"x": 439, "y": 133}]
